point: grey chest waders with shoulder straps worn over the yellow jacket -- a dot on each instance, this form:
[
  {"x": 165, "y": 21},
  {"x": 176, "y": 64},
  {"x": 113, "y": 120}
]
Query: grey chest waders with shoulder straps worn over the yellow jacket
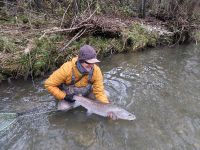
[{"x": 84, "y": 91}]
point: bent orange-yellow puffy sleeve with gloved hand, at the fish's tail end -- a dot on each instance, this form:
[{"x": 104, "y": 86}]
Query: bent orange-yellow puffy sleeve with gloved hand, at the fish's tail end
[{"x": 57, "y": 78}]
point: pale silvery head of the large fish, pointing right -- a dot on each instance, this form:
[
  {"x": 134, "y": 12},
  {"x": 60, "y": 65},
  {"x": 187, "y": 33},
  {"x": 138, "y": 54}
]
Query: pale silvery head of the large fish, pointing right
[{"x": 125, "y": 115}]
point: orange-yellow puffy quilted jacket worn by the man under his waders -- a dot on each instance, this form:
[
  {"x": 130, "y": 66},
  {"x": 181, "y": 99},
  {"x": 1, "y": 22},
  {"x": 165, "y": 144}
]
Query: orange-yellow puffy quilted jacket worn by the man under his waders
[{"x": 64, "y": 75}]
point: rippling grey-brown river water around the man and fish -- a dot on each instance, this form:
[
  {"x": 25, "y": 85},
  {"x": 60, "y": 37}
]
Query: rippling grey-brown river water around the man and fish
[{"x": 160, "y": 86}]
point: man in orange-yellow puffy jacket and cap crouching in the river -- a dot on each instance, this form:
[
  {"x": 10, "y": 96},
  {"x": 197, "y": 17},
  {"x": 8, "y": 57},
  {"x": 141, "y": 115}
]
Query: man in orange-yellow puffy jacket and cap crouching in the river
[{"x": 82, "y": 76}]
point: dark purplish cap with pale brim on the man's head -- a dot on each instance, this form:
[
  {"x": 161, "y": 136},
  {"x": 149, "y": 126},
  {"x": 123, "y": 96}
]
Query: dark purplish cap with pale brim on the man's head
[{"x": 87, "y": 53}]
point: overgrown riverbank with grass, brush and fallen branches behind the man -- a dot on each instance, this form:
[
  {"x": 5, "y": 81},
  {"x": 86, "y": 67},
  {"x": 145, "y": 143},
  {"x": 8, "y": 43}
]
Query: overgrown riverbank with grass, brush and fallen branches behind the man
[{"x": 35, "y": 42}]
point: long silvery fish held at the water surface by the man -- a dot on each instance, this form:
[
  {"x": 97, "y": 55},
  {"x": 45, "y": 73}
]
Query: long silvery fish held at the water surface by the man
[{"x": 102, "y": 109}]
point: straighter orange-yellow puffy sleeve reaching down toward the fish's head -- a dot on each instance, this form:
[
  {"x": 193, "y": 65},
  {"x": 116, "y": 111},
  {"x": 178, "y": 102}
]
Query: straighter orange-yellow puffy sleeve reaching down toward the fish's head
[{"x": 98, "y": 87}]
